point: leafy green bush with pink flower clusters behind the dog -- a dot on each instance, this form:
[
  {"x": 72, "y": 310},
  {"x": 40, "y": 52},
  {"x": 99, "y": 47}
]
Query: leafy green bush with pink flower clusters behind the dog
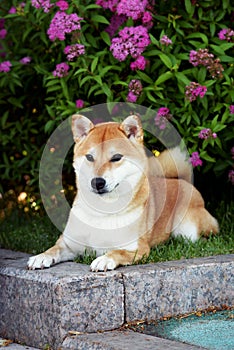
[{"x": 172, "y": 56}]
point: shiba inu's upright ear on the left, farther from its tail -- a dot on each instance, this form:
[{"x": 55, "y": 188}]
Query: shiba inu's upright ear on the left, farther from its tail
[{"x": 81, "y": 126}]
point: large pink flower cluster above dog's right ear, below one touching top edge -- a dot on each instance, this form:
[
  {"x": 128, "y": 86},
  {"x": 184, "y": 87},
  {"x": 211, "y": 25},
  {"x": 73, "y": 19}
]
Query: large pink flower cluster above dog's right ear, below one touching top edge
[{"x": 131, "y": 41}]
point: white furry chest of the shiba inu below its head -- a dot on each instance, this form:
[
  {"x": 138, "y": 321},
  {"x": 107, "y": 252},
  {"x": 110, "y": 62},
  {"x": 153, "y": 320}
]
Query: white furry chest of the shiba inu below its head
[{"x": 102, "y": 232}]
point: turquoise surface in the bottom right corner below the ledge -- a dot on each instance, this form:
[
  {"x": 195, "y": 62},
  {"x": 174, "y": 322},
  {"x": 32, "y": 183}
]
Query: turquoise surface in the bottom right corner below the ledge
[{"x": 213, "y": 331}]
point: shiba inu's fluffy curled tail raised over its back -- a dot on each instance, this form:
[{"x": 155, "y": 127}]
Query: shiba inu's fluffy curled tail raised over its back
[{"x": 174, "y": 163}]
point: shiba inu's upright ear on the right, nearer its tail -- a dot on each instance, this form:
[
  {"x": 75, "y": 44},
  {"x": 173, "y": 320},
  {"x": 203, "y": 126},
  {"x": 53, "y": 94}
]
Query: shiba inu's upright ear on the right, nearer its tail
[{"x": 132, "y": 127}]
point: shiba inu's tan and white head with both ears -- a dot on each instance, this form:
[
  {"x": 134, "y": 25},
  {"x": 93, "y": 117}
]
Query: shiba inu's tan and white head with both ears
[{"x": 108, "y": 155}]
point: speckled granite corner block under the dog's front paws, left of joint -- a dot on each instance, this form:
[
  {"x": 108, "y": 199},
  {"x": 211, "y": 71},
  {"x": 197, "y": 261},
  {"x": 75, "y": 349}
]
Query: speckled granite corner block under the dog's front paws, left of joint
[{"x": 41, "y": 307}]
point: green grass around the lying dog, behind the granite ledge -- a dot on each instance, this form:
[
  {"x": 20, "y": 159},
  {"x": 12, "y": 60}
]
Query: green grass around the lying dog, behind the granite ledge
[{"x": 34, "y": 235}]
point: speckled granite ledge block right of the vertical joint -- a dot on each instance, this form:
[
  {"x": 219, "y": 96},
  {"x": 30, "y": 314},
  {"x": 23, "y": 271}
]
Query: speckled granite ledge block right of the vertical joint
[{"x": 173, "y": 288}]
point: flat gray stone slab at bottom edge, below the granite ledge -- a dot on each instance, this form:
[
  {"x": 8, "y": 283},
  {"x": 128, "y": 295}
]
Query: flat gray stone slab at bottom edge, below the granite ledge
[{"x": 122, "y": 340}]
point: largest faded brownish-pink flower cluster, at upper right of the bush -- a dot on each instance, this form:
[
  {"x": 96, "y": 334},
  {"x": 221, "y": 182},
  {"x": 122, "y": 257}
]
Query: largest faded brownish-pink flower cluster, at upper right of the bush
[{"x": 206, "y": 59}]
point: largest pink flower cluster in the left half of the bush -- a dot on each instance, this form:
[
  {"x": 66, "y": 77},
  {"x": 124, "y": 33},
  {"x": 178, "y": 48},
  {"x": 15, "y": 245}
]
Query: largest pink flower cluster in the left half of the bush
[{"x": 62, "y": 24}]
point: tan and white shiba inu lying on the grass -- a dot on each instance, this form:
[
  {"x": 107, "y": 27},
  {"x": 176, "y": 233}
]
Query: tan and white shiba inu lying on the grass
[{"x": 126, "y": 202}]
